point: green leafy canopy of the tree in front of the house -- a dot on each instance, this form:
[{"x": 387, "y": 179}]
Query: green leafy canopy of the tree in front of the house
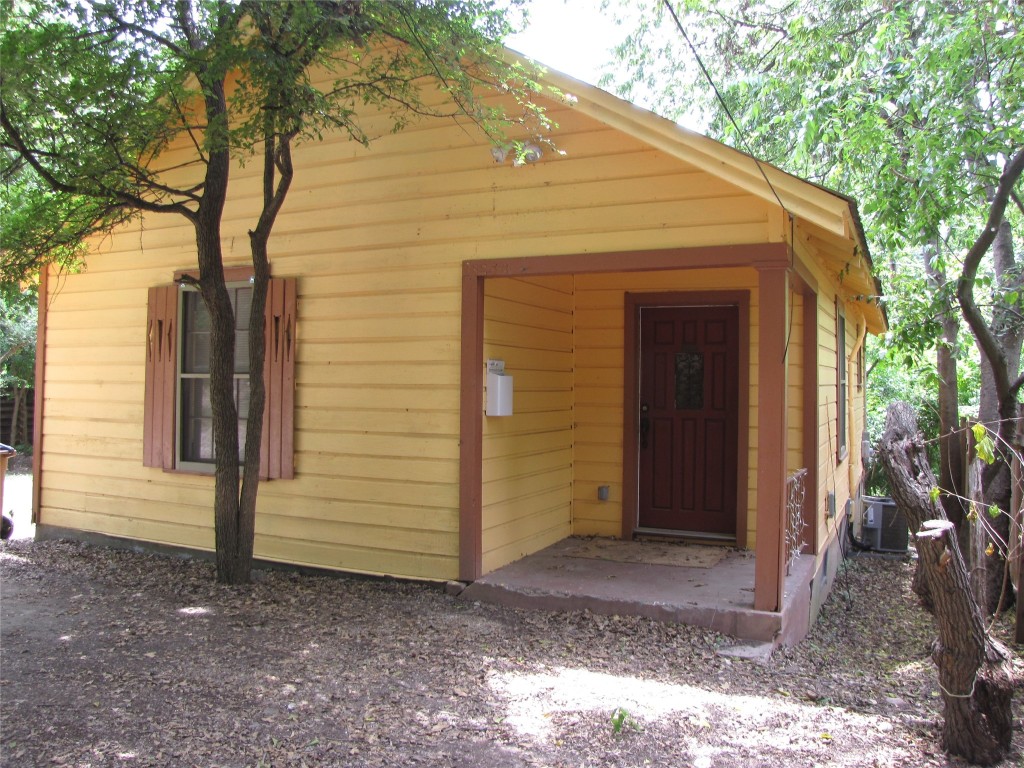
[{"x": 95, "y": 91}]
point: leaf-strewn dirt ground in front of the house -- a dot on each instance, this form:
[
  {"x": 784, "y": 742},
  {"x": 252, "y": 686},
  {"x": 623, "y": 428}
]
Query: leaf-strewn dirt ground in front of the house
[{"x": 118, "y": 659}]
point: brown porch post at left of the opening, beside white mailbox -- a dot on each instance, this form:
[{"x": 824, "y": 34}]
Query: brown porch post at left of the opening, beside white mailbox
[{"x": 472, "y": 428}]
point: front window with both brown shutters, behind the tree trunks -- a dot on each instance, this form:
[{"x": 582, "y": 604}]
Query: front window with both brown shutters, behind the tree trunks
[{"x": 178, "y": 428}]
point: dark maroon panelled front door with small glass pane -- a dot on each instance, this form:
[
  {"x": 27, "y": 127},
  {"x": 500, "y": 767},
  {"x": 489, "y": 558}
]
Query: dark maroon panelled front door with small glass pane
[{"x": 690, "y": 398}]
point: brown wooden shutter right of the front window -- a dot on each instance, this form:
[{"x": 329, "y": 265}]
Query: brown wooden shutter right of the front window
[{"x": 279, "y": 375}]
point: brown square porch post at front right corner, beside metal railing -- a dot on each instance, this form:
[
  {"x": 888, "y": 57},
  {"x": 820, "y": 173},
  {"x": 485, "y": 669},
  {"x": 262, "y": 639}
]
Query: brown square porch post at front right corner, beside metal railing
[{"x": 770, "y": 571}]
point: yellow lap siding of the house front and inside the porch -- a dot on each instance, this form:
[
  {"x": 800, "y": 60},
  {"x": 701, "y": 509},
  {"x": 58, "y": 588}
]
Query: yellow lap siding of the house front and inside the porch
[{"x": 376, "y": 238}]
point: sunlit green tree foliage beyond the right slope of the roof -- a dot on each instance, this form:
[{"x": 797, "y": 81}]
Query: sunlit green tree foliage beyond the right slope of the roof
[{"x": 915, "y": 109}]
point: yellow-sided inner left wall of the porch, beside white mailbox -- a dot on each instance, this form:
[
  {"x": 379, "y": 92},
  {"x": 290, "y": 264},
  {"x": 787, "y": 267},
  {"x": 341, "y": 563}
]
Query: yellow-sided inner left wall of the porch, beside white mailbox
[{"x": 528, "y": 457}]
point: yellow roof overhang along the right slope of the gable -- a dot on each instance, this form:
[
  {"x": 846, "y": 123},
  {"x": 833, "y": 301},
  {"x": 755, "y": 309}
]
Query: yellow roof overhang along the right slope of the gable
[{"x": 833, "y": 218}]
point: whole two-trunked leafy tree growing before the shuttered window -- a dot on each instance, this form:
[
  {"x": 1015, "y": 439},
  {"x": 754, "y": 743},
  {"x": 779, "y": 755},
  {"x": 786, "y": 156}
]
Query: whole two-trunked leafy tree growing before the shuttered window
[{"x": 94, "y": 92}]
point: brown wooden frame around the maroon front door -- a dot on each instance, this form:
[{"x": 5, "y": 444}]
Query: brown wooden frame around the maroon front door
[{"x": 634, "y": 303}]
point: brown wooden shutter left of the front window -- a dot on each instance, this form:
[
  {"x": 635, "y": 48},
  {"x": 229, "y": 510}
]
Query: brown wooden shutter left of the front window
[{"x": 161, "y": 361}]
